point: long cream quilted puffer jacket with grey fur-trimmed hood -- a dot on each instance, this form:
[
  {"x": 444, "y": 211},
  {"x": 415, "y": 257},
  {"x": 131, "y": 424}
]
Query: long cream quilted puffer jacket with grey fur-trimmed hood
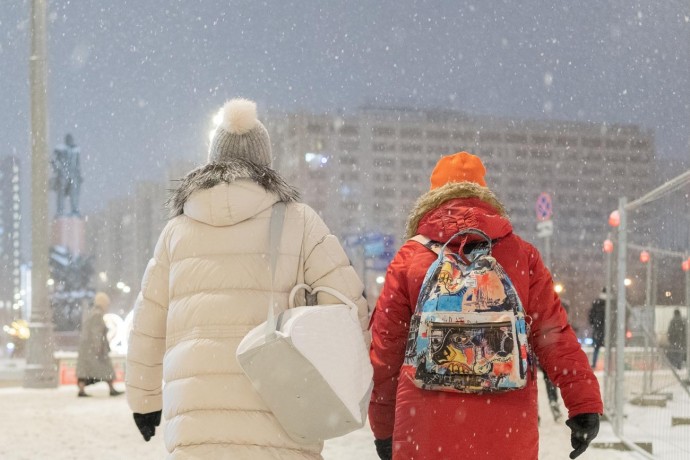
[{"x": 207, "y": 285}]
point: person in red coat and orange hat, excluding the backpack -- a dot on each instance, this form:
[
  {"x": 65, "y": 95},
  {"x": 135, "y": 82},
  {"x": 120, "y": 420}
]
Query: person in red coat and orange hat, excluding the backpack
[{"x": 412, "y": 423}]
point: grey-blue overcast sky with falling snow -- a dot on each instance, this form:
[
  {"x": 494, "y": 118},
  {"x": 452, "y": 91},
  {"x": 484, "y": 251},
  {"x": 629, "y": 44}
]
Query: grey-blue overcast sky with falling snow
[{"x": 136, "y": 82}]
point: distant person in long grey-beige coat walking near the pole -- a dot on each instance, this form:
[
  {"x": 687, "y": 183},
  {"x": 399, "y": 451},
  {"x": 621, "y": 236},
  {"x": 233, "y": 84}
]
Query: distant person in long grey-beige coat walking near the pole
[{"x": 93, "y": 362}]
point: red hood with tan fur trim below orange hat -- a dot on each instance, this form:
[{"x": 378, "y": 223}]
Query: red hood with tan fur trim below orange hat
[{"x": 474, "y": 195}]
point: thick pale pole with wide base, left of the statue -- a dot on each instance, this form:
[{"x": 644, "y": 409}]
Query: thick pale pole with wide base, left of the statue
[{"x": 41, "y": 370}]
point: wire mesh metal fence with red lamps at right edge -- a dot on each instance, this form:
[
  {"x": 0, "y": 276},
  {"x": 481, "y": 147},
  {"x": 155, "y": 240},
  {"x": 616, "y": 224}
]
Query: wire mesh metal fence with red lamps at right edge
[{"x": 646, "y": 395}]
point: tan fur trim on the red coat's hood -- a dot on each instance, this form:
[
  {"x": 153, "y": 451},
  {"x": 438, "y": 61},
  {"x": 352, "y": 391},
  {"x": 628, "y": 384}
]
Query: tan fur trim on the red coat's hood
[{"x": 450, "y": 191}]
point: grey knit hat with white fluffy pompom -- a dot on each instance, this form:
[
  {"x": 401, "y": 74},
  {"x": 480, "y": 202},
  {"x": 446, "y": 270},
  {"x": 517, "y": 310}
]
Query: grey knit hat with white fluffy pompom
[{"x": 240, "y": 135}]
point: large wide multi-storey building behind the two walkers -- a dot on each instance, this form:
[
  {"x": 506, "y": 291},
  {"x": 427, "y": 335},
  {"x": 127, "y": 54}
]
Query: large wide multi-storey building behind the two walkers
[{"x": 363, "y": 172}]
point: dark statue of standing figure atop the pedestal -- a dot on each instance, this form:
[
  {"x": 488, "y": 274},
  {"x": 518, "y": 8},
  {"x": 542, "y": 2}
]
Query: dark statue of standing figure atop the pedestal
[{"x": 67, "y": 180}]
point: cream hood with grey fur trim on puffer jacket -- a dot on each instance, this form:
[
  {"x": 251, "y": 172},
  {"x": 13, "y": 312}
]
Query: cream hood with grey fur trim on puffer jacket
[{"x": 229, "y": 192}]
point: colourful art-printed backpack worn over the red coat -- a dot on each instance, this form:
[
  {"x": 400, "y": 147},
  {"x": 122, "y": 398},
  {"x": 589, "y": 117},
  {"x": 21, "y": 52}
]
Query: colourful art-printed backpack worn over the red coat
[{"x": 468, "y": 333}]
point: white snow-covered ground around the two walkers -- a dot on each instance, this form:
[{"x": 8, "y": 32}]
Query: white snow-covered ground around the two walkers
[{"x": 55, "y": 424}]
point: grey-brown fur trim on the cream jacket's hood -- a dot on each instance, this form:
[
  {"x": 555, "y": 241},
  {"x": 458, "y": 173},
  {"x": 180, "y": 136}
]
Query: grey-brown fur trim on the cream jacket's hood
[{"x": 212, "y": 174}]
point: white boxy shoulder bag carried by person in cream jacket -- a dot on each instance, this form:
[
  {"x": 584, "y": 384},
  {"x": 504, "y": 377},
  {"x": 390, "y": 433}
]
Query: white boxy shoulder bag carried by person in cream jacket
[{"x": 310, "y": 364}]
